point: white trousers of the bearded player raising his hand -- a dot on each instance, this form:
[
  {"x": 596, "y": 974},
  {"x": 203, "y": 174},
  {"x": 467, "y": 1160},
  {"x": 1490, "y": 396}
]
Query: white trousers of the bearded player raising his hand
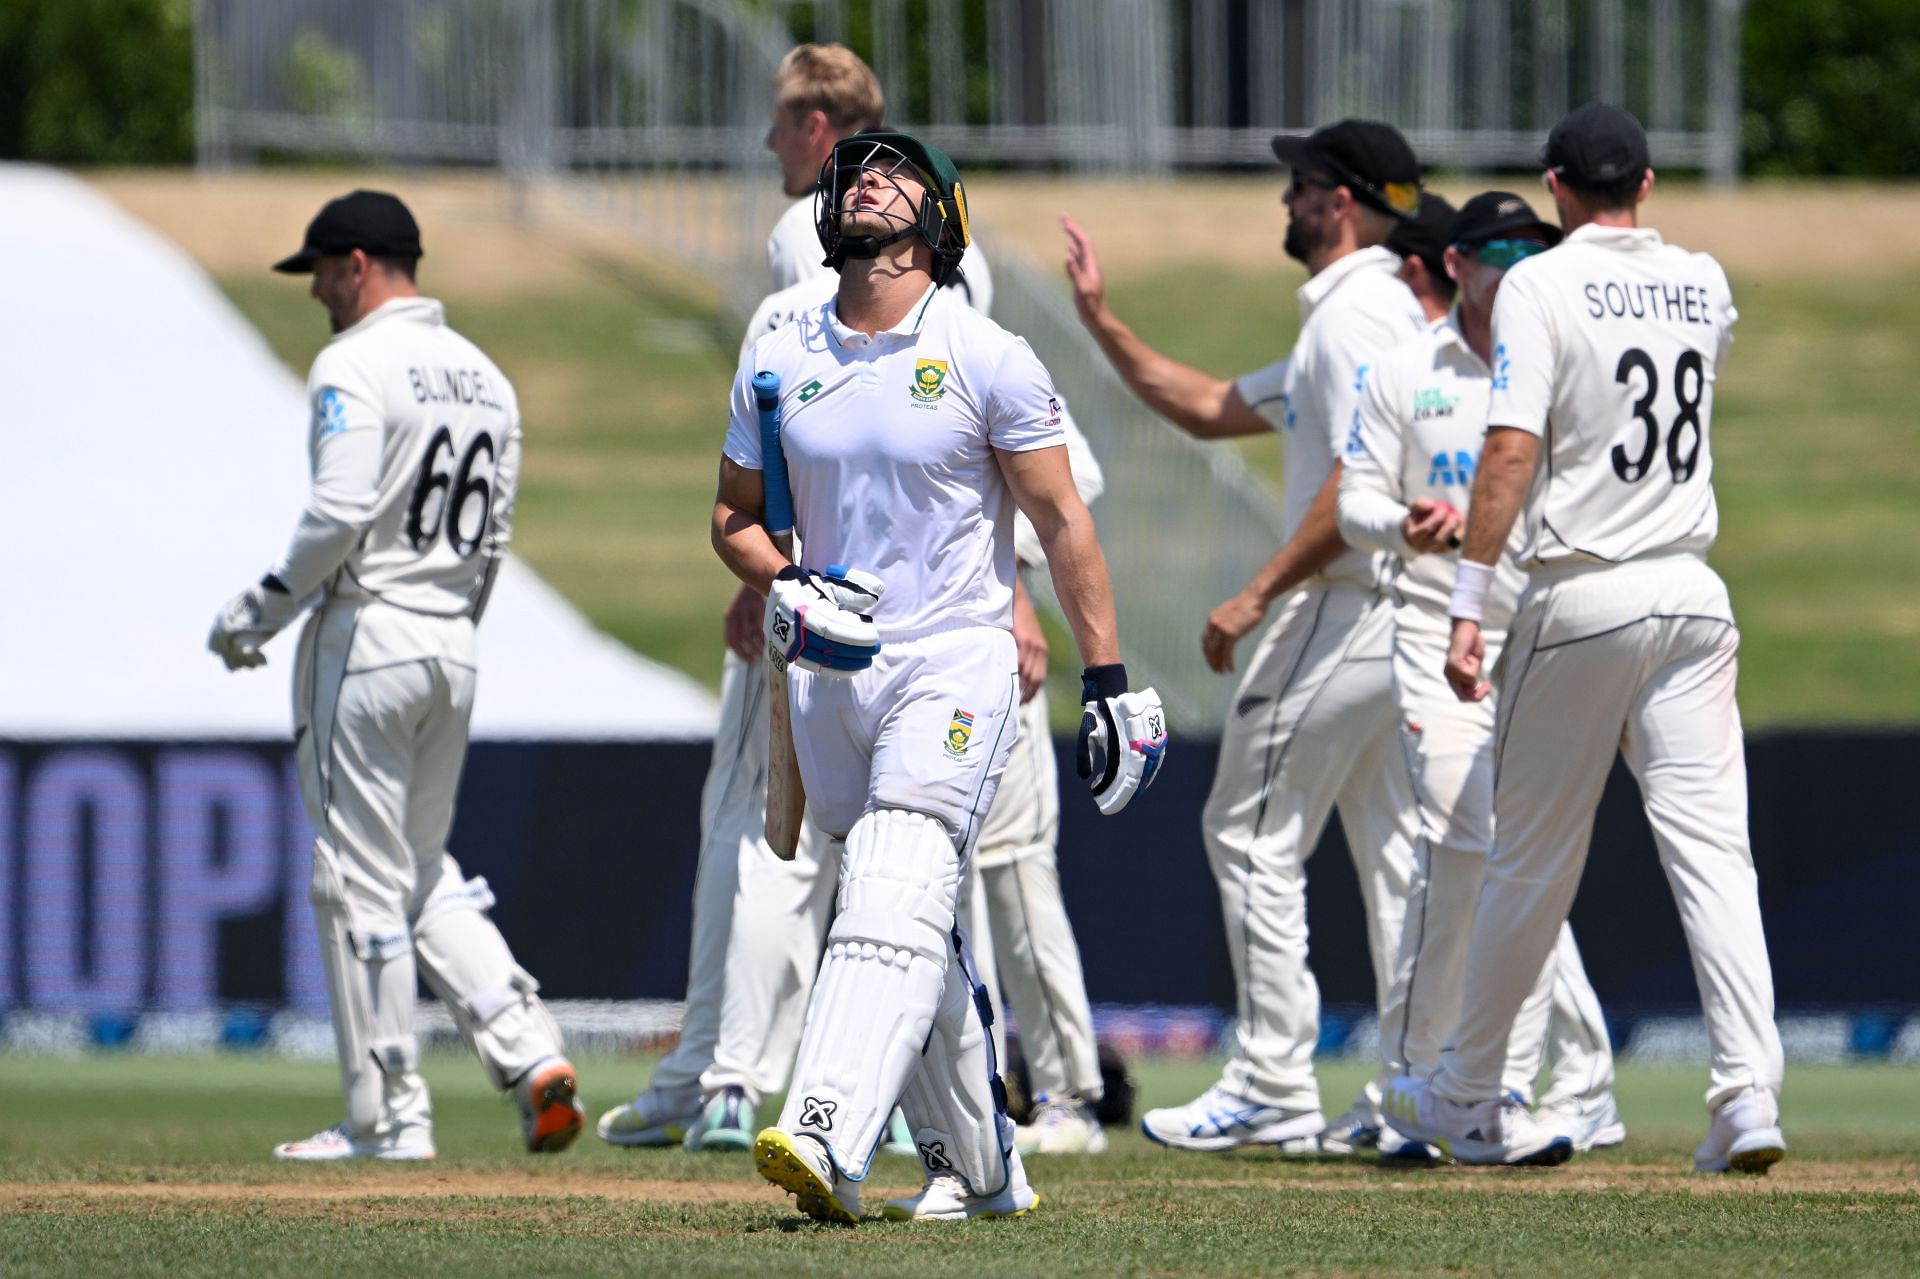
[{"x": 1314, "y": 725}]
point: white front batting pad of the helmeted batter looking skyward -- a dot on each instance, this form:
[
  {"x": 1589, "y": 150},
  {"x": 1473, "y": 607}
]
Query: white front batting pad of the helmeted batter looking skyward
[{"x": 878, "y": 988}]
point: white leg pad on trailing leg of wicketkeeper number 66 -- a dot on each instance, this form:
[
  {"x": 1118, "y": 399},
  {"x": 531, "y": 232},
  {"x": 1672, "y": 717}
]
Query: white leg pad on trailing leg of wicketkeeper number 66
[{"x": 494, "y": 1001}]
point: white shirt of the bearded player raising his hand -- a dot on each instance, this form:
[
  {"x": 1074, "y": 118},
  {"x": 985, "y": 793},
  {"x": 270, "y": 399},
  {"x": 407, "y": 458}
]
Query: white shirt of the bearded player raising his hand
[{"x": 1351, "y": 316}]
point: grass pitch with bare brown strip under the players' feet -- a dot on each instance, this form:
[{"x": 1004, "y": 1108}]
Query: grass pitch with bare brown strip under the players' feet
[{"x": 147, "y": 1167}]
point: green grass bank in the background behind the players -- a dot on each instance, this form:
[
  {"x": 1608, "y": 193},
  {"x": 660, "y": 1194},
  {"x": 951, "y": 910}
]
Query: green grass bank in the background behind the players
[{"x": 625, "y": 395}]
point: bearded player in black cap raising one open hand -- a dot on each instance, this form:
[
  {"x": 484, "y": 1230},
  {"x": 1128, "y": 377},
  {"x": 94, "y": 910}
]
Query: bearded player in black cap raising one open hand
[{"x": 1316, "y": 721}]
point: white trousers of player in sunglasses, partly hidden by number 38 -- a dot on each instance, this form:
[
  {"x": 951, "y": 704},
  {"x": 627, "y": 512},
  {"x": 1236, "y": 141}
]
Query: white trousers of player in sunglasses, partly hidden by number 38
[{"x": 1451, "y": 750}]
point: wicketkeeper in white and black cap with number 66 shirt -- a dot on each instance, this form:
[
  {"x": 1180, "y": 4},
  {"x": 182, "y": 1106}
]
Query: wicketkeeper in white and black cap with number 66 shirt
[{"x": 416, "y": 446}]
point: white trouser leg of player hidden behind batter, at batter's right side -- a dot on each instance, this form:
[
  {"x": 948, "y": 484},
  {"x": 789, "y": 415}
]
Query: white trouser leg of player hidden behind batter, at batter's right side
[{"x": 1034, "y": 953}]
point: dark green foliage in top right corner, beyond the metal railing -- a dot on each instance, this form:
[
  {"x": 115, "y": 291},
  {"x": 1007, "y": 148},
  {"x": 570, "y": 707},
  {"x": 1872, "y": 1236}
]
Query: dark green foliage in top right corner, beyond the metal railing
[{"x": 1833, "y": 87}]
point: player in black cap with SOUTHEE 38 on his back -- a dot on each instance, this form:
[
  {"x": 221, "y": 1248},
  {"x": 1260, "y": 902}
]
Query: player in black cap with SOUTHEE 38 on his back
[{"x": 1606, "y": 352}]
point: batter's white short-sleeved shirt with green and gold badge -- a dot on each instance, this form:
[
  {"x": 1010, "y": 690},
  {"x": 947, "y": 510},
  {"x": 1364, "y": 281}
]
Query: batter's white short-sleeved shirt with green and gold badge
[{"x": 890, "y": 454}]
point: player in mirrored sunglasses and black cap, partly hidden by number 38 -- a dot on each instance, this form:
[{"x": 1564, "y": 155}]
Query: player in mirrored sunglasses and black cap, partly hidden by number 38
[{"x": 1404, "y": 487}]
